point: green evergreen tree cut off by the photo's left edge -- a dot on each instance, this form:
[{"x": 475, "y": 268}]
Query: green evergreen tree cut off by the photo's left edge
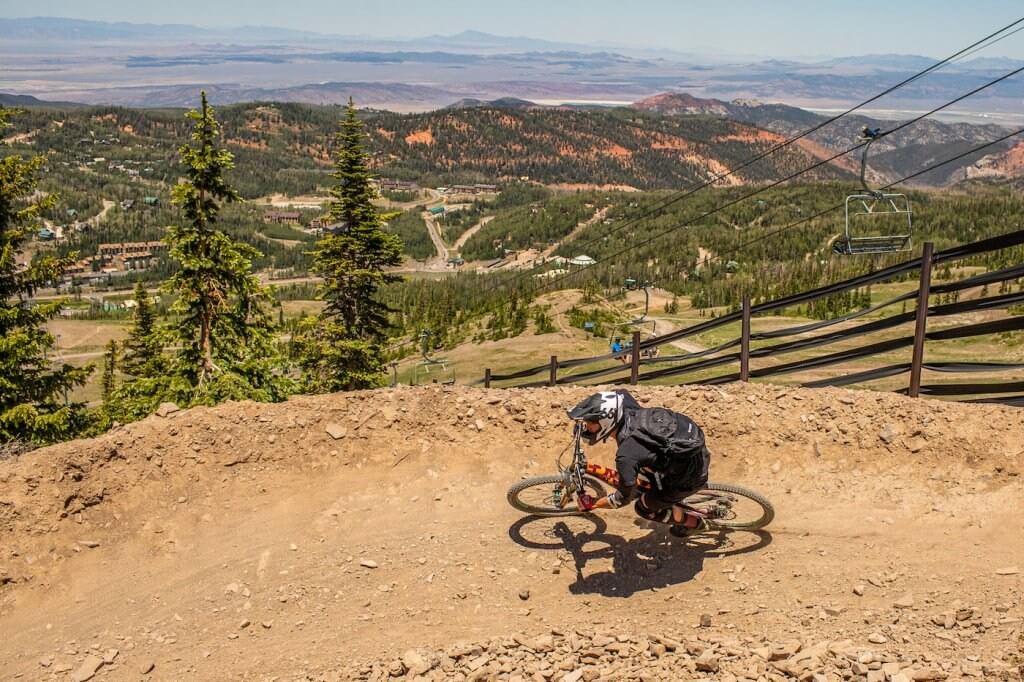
[{"x": 33, "y": 407}]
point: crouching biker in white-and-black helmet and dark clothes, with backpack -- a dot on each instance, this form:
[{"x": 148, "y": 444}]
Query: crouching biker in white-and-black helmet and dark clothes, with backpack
[{"x": 668, "y": 447}]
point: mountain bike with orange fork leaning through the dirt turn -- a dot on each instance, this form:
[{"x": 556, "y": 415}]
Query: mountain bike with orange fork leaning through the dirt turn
[{"x": 723, "y": 506}]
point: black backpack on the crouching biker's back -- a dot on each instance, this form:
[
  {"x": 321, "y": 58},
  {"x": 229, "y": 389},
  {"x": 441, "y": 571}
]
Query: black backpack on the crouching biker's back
[{"x": 677, "y": 439}]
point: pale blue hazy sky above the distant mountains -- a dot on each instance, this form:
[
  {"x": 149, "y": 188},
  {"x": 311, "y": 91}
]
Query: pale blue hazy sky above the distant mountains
[{"x": 770, "y": 28}]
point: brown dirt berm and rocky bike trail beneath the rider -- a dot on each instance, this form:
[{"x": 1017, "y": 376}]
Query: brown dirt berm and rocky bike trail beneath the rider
[{"x": 367, "y": 536}]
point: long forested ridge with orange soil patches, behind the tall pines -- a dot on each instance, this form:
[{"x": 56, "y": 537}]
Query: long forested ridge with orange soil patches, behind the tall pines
[{"x": 285, "y": 148}]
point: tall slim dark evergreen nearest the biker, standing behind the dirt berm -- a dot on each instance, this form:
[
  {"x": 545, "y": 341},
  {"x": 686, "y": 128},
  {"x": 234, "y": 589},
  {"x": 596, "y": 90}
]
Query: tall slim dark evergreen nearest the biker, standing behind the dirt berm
[{"x": 342, "y": 349}]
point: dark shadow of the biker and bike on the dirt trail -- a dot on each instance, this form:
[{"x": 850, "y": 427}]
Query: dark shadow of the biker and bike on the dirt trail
[{"x": 653, "y": 562}]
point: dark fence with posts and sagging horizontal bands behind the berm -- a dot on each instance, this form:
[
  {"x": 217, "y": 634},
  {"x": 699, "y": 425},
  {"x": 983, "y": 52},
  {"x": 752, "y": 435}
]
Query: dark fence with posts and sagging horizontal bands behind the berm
[{"x": 646, "y": 366}]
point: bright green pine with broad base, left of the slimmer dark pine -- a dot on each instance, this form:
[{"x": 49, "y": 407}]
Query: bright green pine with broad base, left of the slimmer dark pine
[{"x": 225, "y": 334}]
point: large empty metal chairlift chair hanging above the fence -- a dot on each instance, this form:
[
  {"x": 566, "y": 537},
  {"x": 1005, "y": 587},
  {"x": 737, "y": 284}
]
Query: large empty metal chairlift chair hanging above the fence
[{"x": 873, "y": 207}]
